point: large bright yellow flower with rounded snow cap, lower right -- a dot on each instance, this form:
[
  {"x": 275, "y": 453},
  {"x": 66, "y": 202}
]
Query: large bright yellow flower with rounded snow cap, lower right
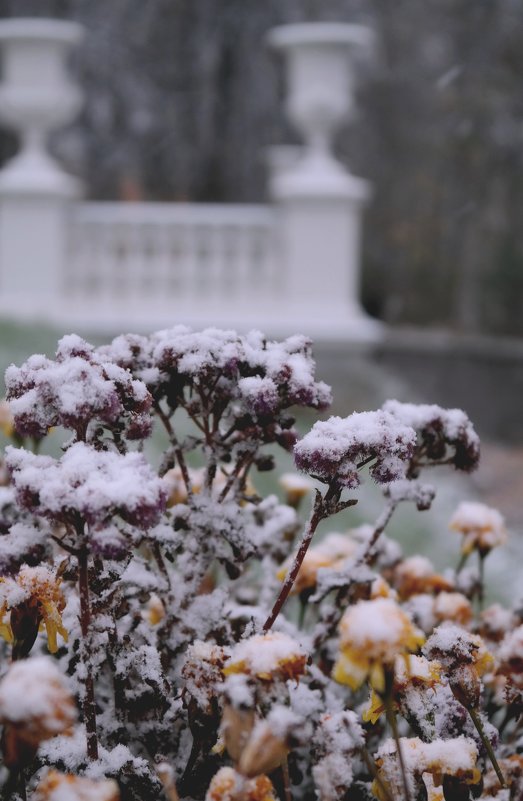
[{"x": 372, "y": 634}]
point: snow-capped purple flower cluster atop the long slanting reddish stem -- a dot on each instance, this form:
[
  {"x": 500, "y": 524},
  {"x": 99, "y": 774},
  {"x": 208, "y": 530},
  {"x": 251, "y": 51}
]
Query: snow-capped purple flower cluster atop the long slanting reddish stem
[{"x": 336, "y": 449}]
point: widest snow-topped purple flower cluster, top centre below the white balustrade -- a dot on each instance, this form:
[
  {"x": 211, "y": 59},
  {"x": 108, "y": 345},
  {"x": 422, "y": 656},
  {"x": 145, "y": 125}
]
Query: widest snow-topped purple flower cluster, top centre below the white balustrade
[{"x": 245, "y": 382}]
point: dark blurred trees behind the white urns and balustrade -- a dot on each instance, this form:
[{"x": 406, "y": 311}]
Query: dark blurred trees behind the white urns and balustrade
[{"x": 183, "y": 98}]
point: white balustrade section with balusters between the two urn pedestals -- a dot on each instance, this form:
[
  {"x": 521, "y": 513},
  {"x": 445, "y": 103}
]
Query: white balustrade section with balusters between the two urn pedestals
[{"x": 160, "y": 262}]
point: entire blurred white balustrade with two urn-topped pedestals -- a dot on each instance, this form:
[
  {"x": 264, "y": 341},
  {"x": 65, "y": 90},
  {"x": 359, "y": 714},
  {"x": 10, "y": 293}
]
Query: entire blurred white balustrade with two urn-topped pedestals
[{"x": 291, "y": 265}]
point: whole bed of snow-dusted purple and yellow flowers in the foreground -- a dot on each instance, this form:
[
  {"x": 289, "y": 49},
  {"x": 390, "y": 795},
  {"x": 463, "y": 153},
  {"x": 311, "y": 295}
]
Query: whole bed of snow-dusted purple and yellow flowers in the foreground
[{"x": 171, "y": 631}]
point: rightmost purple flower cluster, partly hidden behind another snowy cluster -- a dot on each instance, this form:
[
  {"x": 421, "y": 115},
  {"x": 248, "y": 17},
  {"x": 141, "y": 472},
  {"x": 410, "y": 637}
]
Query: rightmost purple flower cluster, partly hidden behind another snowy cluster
[{"x": 444, "y": 435}]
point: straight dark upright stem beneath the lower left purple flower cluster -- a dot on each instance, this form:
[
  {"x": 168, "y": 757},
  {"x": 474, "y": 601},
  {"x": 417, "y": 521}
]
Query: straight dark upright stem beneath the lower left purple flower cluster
[{"x": 89, "y": 706}]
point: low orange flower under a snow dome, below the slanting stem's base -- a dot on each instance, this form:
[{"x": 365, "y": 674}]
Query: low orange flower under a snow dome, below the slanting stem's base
[{"x": 268, "y": 657}]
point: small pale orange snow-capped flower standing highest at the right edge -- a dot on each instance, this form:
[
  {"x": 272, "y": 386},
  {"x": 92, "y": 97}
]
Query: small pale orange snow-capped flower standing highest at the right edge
[{"x": 482, "y": 527}]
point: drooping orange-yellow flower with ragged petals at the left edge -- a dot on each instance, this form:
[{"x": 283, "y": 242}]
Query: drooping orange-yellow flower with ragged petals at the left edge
[{"x": 34, "y": 598}]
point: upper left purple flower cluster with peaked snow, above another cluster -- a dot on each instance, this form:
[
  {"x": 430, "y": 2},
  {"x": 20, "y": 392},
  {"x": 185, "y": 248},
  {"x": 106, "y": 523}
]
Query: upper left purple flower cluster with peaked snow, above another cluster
[{"x": 78, "y": 387}]
